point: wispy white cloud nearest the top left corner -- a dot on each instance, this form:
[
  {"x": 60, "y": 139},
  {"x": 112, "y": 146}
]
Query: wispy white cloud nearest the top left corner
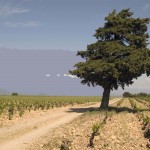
[{"x": 8, "y": 10}]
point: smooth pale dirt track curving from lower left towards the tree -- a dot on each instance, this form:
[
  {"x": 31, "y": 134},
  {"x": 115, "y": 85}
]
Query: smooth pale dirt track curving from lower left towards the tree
[{"x": 22, "y": 133}]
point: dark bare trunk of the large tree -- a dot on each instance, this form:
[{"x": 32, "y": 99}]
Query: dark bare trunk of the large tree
[{"x": 105, "y": 98}]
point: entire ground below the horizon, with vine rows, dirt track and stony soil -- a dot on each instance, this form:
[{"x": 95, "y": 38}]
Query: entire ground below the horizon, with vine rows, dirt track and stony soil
[{"x": 125, "y": 125}]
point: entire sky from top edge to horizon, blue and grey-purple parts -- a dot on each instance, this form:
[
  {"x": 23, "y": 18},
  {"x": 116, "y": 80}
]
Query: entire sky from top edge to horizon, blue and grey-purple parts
[{"x": 54, "y": 25}]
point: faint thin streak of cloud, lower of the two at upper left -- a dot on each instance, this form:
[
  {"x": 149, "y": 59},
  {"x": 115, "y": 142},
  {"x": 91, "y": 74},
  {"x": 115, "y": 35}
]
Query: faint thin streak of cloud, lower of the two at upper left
[{"x": 23, "y": 24}]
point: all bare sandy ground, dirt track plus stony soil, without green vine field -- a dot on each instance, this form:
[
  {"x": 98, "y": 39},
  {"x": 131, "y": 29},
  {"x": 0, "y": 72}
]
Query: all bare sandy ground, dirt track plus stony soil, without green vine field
[{"x": 72, "y": 128}]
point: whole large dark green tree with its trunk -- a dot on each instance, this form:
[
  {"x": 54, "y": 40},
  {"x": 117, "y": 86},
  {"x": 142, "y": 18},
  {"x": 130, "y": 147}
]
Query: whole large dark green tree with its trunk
[{"x": 119, "y": 55}]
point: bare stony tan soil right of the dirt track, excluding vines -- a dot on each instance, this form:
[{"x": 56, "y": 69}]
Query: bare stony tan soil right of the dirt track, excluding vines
[{"x": 122, "y": 131}]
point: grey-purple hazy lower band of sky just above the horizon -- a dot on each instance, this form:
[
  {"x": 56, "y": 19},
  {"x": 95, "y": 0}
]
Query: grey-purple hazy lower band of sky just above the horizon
[{"x": 46, "y": 72}]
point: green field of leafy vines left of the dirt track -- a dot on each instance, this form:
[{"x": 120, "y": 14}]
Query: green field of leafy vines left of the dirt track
[{"x": 10, "y": 105}]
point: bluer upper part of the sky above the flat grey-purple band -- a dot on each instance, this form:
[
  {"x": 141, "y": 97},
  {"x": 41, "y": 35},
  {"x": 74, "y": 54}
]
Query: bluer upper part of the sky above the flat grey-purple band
[{"x": 58, "y": 24}]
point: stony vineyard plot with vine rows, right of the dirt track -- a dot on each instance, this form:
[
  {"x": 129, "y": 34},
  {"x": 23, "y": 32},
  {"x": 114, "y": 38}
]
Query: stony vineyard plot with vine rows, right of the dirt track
[{"x": 107, "y": 129}]
